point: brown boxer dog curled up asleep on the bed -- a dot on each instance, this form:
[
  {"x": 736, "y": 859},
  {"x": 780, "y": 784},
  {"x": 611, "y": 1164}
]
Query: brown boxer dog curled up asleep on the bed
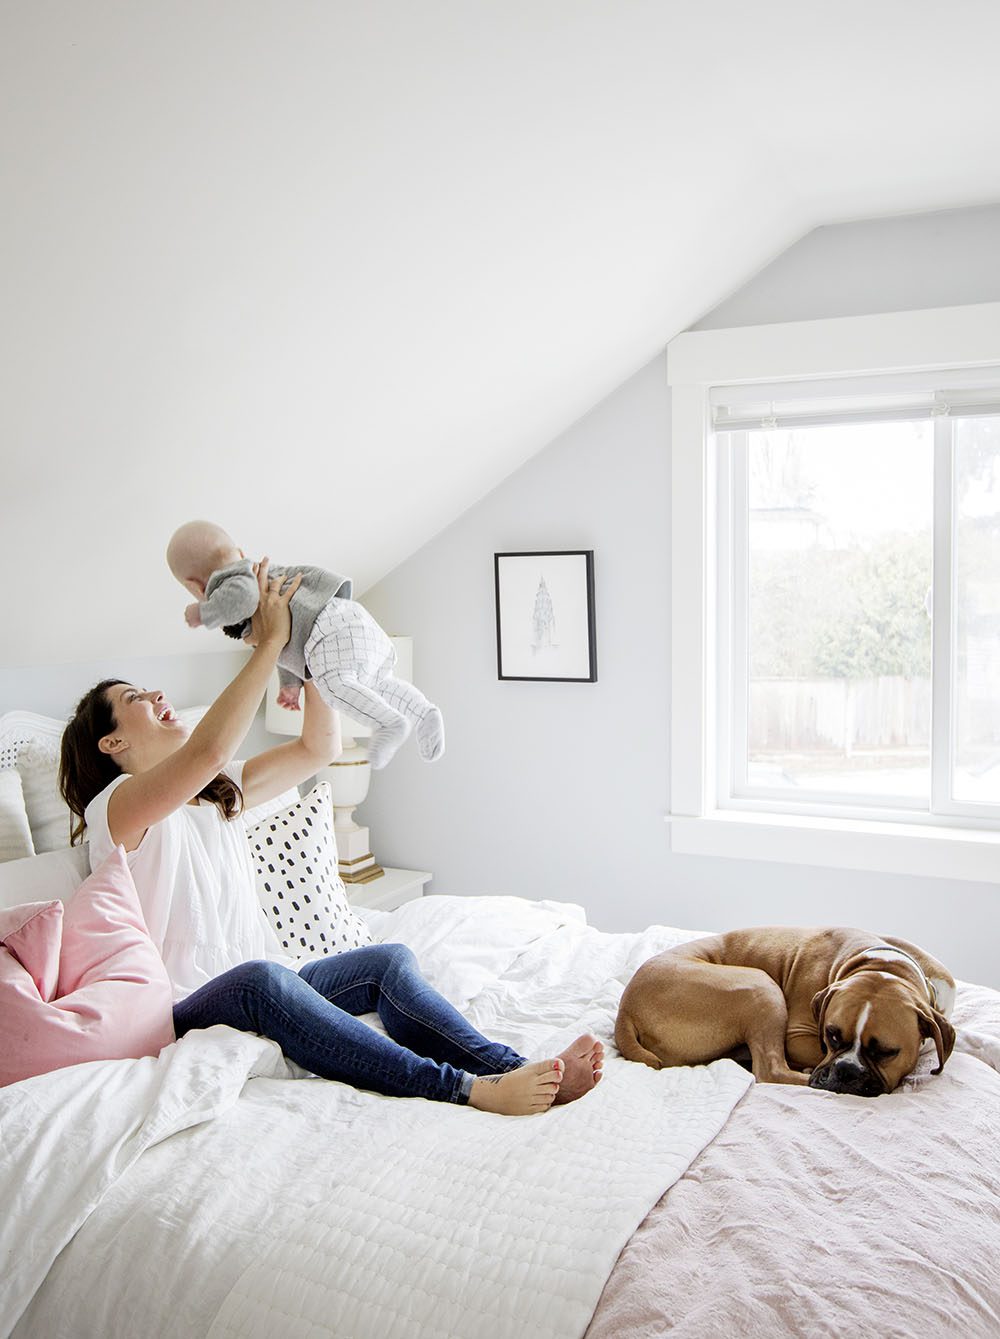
[{"x": 849, "y": 1009}]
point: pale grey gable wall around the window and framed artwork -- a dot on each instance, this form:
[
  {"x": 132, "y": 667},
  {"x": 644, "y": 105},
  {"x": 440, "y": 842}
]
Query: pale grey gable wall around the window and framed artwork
[{"x": 560, "y": 791}]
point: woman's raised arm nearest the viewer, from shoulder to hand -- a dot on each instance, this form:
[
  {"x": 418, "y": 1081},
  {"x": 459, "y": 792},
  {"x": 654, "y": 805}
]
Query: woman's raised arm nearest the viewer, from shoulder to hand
[{"x": 149, "y": 797}]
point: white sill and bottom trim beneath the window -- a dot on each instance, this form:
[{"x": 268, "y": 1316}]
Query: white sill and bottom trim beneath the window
[{"x": 956, "y": 854}]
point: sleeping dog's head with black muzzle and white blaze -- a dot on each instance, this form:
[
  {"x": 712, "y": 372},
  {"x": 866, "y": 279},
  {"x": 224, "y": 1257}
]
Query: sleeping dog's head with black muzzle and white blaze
[{"x": 872, "y": 1026}]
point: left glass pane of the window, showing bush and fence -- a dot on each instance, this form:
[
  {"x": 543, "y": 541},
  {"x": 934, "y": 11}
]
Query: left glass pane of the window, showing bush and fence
[{"x": 837, "y": 586}]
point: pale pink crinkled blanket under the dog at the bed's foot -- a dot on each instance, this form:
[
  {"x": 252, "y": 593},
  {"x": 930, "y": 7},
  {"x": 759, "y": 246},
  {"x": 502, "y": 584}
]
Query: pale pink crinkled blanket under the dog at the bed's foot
[{"x": 815, "y": 1214}]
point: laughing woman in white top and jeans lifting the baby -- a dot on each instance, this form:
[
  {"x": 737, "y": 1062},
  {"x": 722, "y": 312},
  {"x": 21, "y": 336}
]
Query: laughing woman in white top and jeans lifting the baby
[{"x": 133, "y": 777}]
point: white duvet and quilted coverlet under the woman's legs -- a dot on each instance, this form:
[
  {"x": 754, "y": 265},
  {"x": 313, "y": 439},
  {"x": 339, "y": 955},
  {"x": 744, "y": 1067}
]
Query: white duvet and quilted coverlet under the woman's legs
[{"x": 211, "y": 1194}]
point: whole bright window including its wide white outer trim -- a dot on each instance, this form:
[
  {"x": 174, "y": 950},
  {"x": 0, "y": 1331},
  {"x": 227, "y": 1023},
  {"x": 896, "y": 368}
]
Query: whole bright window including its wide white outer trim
[{"x": 837, "y": 568}]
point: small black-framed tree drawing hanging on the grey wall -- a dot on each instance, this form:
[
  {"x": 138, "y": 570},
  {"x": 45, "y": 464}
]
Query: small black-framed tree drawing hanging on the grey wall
[{"x": 546, "y": 617}]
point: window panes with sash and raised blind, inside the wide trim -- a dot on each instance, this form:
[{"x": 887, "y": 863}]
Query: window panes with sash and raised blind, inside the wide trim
[{"x": 827, "y": 603}]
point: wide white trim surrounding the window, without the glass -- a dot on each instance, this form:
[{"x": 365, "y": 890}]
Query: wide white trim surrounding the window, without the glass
[{"x": 892, "y": 343}]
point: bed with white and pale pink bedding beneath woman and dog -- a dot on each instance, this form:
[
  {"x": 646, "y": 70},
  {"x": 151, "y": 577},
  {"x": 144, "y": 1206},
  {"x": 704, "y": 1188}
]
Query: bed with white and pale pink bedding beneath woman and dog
[{"x": 215, "y": 1191}]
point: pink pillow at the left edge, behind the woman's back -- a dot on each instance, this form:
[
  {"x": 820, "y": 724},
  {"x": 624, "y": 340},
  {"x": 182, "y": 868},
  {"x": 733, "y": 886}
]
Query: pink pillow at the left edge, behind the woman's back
[{"x": 81, "y": 982}]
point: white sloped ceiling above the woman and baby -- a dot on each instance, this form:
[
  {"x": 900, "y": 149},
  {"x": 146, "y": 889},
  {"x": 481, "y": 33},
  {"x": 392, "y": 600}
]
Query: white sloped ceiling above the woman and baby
[{"x": 327, "y": 272}]
